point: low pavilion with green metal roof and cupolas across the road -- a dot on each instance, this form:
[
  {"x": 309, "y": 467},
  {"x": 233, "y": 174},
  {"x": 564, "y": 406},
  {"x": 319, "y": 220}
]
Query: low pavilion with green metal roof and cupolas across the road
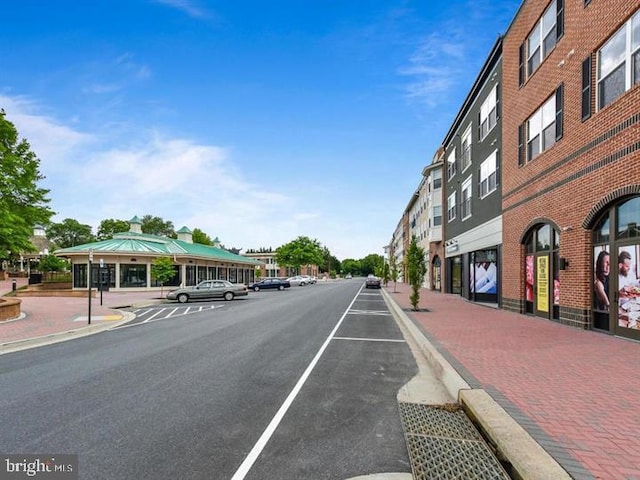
[{"x": 123, "y": 263}]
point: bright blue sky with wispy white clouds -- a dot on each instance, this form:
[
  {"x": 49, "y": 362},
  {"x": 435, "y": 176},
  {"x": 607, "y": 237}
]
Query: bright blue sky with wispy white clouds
[{"x": 255, "y": 121}]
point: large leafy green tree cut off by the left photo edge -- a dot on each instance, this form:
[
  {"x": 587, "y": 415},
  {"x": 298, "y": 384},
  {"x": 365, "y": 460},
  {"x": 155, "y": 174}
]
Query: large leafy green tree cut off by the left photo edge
[{"x": 22, "y": 203}]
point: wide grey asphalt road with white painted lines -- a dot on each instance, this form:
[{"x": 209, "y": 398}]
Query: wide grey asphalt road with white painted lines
[{"x": 299, "y": 384}]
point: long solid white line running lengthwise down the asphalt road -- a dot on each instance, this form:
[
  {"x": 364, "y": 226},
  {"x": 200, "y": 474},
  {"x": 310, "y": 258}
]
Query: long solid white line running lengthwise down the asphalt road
[{"x": 250, "y": 459}]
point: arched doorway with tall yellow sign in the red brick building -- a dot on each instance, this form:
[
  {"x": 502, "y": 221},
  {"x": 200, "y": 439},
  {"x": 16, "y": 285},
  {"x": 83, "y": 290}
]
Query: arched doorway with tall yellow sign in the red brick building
[{"x": 541, "y": 280}]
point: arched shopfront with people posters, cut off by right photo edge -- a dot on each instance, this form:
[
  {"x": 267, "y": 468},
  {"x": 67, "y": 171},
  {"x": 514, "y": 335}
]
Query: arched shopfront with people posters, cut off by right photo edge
[{"x": 616, "y": 270}]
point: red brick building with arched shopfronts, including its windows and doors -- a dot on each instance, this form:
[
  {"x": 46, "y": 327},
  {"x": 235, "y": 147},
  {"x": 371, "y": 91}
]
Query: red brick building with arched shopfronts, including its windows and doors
[{"x": 571, "y": 163}]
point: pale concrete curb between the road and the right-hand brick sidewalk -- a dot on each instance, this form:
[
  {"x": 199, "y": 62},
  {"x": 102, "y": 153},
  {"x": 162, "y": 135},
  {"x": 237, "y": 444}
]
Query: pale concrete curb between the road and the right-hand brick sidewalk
[{"x": 512, "y": 442}]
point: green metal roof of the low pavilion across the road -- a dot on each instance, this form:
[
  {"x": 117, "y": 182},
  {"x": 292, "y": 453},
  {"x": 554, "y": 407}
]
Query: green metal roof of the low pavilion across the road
[{"x": 141, "y": 243}]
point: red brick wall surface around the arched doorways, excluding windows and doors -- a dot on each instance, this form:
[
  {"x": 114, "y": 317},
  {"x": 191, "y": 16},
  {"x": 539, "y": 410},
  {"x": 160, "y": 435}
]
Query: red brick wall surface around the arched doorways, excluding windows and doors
[{"x": 595, "y": 163}]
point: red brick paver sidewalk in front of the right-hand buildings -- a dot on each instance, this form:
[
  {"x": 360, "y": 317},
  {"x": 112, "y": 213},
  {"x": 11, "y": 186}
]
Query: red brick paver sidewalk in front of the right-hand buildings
[{"x": 576, "y": 392}]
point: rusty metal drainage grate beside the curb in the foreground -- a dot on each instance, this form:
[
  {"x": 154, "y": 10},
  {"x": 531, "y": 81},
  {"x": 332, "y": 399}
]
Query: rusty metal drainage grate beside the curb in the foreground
[{"x": 446, "y": 445}]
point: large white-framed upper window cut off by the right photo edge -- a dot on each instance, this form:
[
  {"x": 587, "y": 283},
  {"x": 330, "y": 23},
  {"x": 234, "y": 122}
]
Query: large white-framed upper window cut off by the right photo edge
[{"x": 619, "y": 62}]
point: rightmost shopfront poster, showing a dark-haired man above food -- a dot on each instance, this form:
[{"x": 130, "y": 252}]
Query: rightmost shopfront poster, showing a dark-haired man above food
[{"x": 628, "y": 287}]
